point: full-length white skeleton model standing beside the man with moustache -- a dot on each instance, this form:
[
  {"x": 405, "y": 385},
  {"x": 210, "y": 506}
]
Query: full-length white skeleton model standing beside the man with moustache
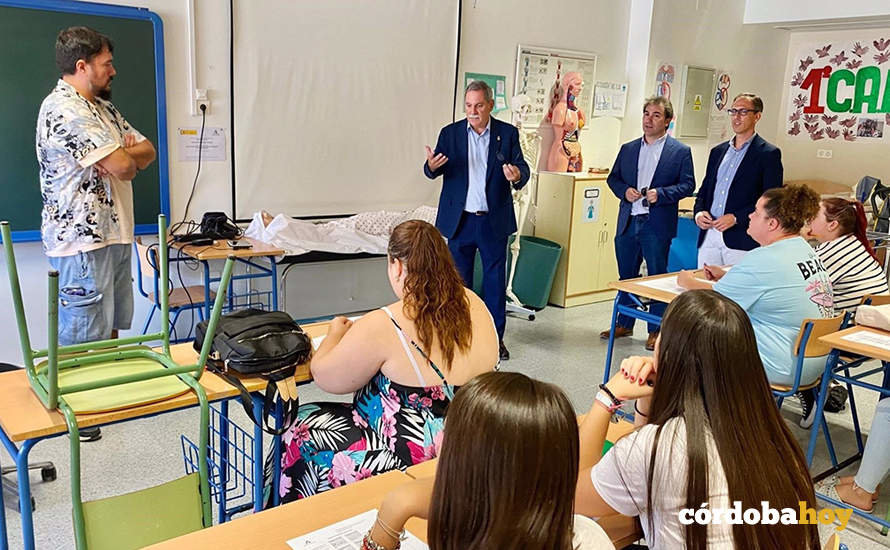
[{"x": 530, "y": 143}]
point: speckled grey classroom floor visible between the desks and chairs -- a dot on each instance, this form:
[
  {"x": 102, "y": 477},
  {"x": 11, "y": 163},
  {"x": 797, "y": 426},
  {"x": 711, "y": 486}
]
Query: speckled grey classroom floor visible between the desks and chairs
[{"x": 561, "y": 346}]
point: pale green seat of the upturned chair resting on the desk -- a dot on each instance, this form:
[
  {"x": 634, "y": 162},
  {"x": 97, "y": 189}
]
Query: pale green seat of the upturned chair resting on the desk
[{"x": 118, "y": 397}]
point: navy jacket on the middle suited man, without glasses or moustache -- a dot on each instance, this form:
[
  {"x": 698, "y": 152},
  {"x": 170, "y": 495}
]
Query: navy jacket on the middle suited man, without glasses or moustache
[{"x": 674, "y": 179}]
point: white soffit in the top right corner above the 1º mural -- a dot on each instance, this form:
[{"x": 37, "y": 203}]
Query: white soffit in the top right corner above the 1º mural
[{"x": 785, "y": 11}]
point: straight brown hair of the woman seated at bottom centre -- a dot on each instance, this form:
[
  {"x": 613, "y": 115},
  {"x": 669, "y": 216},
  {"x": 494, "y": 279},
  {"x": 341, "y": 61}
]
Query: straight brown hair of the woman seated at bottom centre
[{"x": 508, "y": 468}]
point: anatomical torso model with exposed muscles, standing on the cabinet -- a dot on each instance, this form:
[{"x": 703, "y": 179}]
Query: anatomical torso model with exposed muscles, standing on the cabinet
[{"x": 567, "y": 119}]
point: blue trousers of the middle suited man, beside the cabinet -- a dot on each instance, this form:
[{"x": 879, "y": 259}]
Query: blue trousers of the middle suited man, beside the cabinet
[{"x": 638, "y": 242}]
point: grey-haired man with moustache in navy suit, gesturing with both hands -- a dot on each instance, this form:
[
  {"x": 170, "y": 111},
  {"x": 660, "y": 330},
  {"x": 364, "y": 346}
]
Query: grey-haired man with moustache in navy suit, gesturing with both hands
[{"x": 481, "y": 161}]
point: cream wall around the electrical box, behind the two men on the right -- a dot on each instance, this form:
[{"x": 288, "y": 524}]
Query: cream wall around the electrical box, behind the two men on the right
[{"x": 710, "y": 33}]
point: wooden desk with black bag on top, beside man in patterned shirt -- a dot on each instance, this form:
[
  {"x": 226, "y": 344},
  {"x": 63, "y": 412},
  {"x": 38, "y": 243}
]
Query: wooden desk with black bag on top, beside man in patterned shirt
[{"x": 220, "y": 250}]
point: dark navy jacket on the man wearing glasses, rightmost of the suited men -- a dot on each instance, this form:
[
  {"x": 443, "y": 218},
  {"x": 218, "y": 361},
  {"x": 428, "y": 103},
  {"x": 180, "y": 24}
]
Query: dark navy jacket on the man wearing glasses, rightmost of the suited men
[{"x": 761, "y": 169}]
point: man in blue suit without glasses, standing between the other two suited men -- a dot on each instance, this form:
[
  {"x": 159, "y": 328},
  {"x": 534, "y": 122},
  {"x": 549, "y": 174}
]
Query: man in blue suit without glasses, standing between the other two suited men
[{"x": 649, "y": 177}]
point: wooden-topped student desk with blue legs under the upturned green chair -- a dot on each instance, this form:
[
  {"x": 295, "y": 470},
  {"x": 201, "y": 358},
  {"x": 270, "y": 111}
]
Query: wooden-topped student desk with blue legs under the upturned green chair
[{"x": 24, "y": 420}]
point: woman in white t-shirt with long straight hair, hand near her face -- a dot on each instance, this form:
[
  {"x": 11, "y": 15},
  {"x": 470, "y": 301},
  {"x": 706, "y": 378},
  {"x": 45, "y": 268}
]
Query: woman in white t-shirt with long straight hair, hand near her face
[{"x": 710, "y": 436}]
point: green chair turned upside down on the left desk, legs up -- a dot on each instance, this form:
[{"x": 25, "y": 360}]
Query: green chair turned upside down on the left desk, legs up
[{"x": 116, "y": 374}]
